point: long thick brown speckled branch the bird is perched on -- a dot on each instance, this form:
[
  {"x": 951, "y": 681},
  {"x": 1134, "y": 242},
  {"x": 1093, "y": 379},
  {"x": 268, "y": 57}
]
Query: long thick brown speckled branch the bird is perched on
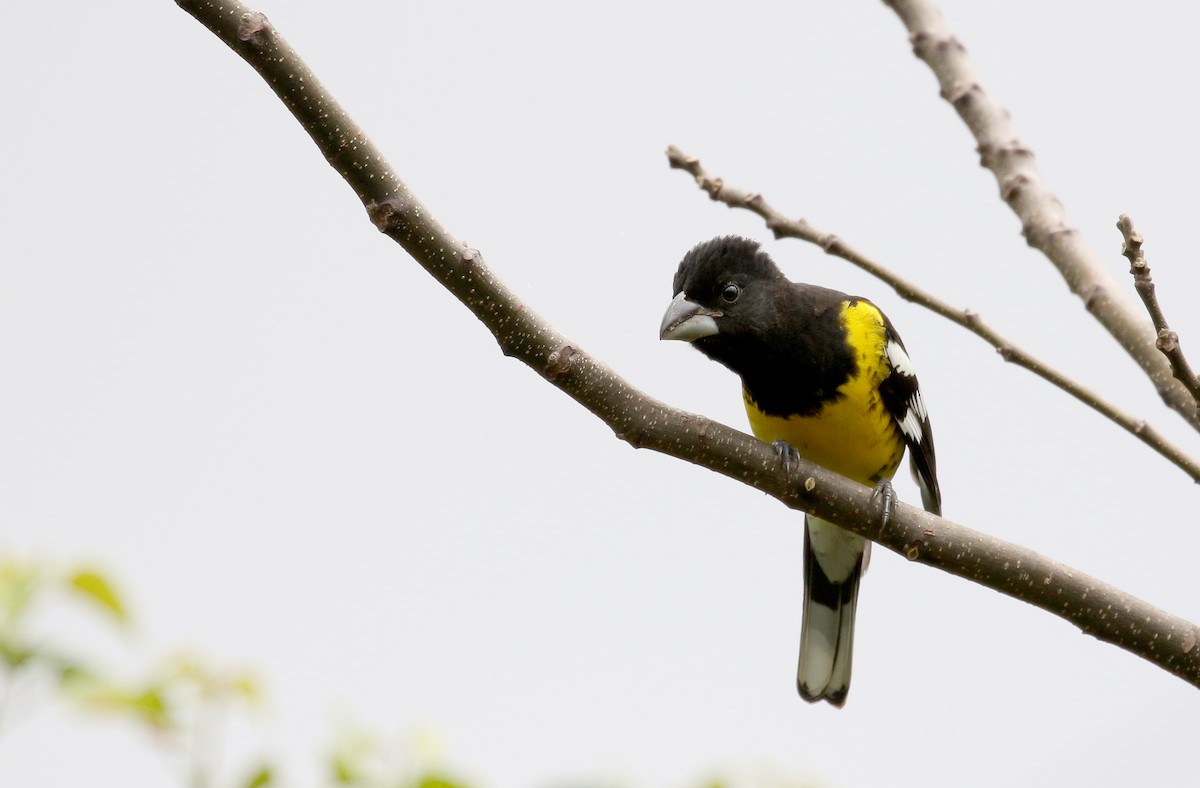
[{"x": 1097, "y": 609}]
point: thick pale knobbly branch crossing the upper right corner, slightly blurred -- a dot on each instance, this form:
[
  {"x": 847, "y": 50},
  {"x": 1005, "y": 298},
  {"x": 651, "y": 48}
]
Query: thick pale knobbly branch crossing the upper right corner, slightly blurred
[{"x": 1043, "y": 220}]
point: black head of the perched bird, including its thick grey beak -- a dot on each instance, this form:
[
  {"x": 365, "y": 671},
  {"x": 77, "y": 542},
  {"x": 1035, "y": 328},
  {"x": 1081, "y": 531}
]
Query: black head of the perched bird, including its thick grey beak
[{"x": 727, "y": 293}]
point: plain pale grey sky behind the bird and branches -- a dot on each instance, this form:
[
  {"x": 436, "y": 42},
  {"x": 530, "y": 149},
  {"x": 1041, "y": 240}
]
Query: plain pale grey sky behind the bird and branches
[{"x": 298, "y": 454}]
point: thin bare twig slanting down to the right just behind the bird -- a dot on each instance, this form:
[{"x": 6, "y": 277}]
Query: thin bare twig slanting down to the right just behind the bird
[{"x": 785, "y": 227}]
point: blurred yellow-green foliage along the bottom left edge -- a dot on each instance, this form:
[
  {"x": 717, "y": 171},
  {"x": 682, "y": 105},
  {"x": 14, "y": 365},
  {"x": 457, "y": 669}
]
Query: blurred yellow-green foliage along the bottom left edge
[{"x": 184, "y": 702}]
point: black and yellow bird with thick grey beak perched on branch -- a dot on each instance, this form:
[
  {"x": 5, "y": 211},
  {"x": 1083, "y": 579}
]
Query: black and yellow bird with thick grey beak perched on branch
[{"x": 825, "y": 376}]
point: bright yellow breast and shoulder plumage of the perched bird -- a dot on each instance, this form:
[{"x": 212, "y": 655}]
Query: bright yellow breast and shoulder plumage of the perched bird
[{"x": 853, "y": 435}]
